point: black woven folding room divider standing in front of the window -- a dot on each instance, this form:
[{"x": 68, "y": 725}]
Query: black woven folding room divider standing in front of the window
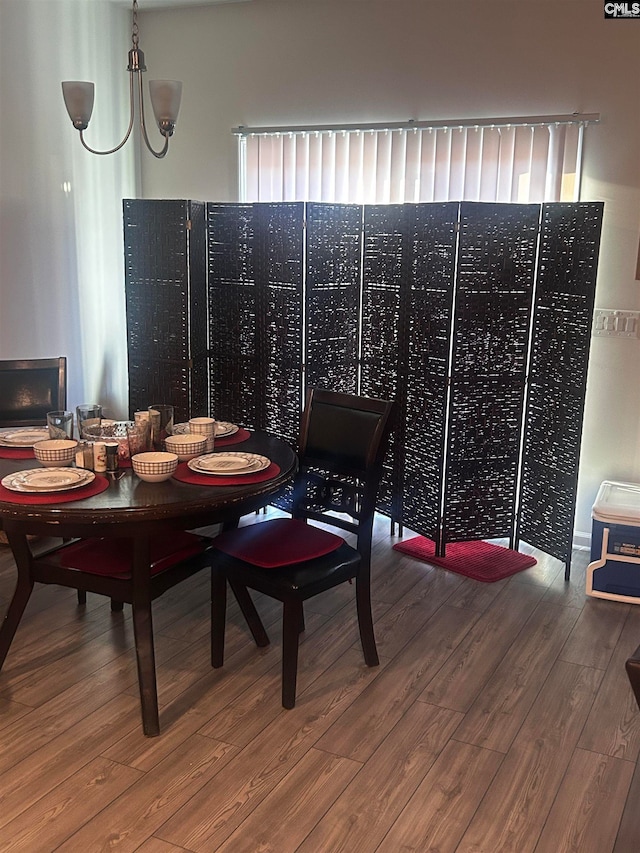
[{"x": 474, "y": 317}]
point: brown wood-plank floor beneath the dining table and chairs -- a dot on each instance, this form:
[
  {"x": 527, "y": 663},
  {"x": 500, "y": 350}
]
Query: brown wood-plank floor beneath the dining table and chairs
[{"x": 500, "y": 719}]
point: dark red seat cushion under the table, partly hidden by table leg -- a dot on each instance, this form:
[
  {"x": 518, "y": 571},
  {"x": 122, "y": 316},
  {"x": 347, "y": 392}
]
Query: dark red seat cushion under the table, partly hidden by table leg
[{"x": 114, "y": 557}]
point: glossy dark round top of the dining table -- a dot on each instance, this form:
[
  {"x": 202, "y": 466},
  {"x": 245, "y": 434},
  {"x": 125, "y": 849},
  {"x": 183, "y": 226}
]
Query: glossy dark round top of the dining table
[{"x": 130, "y": 503}]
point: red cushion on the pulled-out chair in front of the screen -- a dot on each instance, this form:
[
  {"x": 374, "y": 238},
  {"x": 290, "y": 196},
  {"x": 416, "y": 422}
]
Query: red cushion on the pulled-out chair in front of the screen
[{"x": 280, "y": 542}]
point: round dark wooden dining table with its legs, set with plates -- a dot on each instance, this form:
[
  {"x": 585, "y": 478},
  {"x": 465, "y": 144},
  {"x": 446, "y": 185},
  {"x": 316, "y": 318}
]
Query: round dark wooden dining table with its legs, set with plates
[{"x": 120, "y": 505}]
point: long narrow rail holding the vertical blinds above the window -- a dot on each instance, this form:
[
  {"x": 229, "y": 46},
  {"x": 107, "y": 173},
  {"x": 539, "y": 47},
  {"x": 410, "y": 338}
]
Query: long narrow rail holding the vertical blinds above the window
[{"x": 572, "y": 118}]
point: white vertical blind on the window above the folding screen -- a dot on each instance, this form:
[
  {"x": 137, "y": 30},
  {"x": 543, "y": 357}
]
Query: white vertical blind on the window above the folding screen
[{"x": 518, "y": 162}]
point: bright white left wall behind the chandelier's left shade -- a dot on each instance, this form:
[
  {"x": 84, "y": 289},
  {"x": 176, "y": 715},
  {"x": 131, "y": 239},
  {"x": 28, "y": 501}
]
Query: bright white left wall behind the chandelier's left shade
[{"x": 61, "y": 267}]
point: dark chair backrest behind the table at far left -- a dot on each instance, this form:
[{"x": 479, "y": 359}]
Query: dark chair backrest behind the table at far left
[{"x": 29, "y": 388}]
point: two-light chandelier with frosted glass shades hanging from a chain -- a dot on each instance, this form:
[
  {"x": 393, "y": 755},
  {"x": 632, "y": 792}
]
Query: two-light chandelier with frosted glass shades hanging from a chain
[{"x": 165, "y": 100}]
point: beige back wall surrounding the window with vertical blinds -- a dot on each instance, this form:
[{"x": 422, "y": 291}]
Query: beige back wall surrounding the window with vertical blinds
[{"x": 273, "y": 62}]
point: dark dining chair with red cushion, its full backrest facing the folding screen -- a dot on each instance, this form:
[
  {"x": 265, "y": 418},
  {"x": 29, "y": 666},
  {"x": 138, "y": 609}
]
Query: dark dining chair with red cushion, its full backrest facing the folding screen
[{"x": 342, "y": 444}]
